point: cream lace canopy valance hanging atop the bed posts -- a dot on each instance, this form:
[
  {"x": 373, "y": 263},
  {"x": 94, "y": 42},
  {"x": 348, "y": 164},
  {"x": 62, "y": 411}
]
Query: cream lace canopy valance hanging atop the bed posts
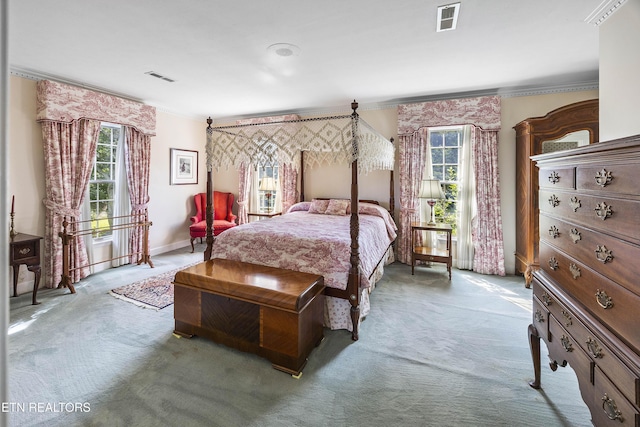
[{"x": 324, "y": 140}]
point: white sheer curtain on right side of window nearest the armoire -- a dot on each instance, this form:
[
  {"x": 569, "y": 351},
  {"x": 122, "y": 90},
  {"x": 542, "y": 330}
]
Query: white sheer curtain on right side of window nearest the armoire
[{"x": 466, "y": 205}]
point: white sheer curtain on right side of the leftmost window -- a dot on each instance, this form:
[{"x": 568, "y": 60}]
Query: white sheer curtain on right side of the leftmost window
[{"x": 121, "y": 207}]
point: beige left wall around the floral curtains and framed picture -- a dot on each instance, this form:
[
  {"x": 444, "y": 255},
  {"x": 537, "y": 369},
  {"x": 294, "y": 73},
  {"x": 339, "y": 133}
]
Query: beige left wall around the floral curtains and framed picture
[{"x": 170, "y": 206}]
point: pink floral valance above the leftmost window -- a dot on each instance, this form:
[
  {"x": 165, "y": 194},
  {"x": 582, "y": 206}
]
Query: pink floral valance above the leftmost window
[{"x": 65, "y": 103}]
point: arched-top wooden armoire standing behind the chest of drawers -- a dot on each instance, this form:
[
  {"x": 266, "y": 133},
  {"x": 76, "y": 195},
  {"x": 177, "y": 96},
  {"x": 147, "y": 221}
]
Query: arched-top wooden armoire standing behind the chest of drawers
[{"x": 535, "y": 136}]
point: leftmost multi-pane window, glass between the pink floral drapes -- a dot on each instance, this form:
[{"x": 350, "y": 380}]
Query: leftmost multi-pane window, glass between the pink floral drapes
[{"x": 102, "y": 182}]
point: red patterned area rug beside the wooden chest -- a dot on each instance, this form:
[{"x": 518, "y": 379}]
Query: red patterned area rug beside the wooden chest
[{"x": 154, "y": 292}]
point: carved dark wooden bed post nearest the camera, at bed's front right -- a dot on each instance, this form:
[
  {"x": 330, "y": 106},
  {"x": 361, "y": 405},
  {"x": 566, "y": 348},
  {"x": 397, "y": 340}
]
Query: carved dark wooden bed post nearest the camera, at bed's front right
[{"x": 354, "y": 273}]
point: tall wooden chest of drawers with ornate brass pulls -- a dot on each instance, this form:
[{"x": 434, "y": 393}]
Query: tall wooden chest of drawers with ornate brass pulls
[{"x": 586, "y": 295}]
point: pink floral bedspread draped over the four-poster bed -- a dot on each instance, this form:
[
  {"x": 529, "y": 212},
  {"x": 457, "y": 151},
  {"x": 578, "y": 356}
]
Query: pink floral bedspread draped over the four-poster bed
[{"x": 311, "y": 243}]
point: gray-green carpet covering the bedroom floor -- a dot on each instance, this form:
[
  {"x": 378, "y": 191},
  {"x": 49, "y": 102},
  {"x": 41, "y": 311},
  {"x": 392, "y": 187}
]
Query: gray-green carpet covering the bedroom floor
[{"x": 431, "y": 353}]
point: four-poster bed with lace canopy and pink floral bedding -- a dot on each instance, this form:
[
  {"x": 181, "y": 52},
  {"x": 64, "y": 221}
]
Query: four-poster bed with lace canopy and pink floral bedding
[{"x": 337, "y": 139}]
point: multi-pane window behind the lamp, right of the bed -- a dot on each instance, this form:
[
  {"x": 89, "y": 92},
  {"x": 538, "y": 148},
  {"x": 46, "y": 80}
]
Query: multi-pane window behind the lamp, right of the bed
[{"x": 446, "y": 154}]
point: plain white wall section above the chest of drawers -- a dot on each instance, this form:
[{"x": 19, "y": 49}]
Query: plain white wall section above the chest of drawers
[{"x": 619, "y": 73}]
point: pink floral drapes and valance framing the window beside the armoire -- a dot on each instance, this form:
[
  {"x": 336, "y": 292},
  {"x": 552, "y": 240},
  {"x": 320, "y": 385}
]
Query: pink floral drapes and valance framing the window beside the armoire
[{"x": 484, "y": 114}]
